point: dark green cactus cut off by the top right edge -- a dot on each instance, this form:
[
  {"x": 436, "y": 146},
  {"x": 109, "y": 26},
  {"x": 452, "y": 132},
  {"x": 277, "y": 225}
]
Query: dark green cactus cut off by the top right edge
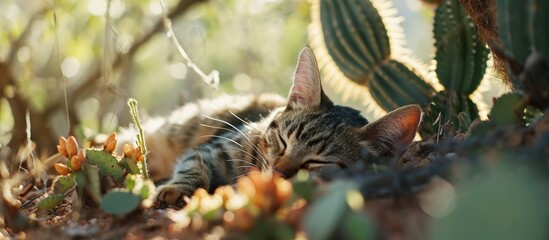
[{"x": 525, "y": 39}]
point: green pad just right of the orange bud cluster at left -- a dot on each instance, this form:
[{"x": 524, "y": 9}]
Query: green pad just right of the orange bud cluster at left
[{"x": 108, "y": 164}]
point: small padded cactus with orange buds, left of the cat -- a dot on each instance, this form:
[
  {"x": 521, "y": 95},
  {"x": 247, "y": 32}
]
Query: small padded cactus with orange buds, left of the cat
[{"x": 99, "y": 171}]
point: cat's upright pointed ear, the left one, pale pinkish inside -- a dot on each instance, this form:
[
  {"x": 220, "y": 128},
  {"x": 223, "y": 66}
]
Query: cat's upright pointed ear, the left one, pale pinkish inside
[{"x": 307, "y": 91}]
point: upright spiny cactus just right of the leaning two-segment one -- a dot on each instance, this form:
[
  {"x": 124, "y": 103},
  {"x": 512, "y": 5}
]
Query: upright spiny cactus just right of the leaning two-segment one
[{"x": 461, "y": 61}]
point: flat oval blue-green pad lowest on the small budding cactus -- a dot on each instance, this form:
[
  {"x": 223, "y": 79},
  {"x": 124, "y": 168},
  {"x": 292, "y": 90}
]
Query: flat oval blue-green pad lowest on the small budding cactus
[{"x": 120, "y": 202}]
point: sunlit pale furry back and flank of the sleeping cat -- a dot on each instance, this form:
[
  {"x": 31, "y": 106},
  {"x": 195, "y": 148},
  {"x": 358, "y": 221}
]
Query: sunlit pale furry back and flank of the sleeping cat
[{"x": 169, "y": 138}]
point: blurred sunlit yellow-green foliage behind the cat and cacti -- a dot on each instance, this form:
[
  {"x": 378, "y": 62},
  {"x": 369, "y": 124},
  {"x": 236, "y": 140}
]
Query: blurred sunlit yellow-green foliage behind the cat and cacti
[{"x": 103, "y": 52}]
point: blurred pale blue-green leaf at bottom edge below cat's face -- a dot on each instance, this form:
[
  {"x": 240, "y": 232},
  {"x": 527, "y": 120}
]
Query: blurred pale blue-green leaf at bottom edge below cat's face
[{"x": 327, "y": 212}]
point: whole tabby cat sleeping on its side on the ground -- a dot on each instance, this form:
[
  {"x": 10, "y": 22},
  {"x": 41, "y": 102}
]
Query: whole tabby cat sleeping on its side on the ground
[{"x": 308, "y": 132}]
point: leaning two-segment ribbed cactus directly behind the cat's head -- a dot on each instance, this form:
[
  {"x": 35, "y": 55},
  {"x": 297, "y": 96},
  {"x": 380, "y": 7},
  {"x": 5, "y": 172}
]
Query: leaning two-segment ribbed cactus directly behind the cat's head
[{"x": 357, "y": 41}]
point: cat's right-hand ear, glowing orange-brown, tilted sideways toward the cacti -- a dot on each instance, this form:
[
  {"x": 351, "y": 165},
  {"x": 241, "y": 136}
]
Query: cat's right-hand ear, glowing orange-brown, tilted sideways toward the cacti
[{"x": 392, "y": 133}]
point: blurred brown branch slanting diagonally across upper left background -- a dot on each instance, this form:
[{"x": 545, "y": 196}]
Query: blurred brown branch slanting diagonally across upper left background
[{"x": 95, "y": 74}]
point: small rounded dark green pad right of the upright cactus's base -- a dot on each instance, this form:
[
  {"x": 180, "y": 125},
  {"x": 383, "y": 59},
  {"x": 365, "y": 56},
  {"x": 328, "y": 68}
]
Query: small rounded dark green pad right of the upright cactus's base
[{"x": 508, "y": 109}]
